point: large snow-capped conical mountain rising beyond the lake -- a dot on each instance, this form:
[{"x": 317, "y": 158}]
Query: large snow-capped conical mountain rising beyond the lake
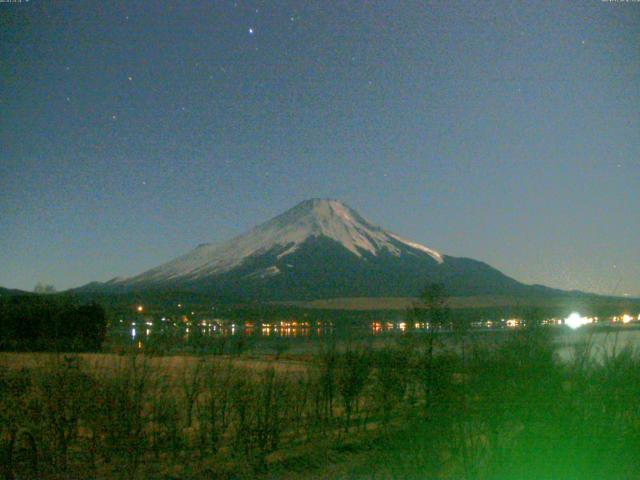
[{"x": 319, "y": 249}]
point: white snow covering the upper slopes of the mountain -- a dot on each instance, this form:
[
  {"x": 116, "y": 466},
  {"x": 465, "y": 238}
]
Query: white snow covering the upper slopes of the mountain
[{"x": 287, "y": 232}]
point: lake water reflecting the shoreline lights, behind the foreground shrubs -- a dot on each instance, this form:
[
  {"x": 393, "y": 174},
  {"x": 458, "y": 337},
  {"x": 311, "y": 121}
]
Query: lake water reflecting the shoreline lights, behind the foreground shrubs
[{"x": 602, "y": 341}]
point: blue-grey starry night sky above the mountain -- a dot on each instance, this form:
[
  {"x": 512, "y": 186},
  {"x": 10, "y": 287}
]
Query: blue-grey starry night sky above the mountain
[{"x": 508, "y": 132}]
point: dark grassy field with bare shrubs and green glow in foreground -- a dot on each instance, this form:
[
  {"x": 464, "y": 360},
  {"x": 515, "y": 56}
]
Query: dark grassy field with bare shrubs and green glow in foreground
[{"x": 411, "y": 409}]
